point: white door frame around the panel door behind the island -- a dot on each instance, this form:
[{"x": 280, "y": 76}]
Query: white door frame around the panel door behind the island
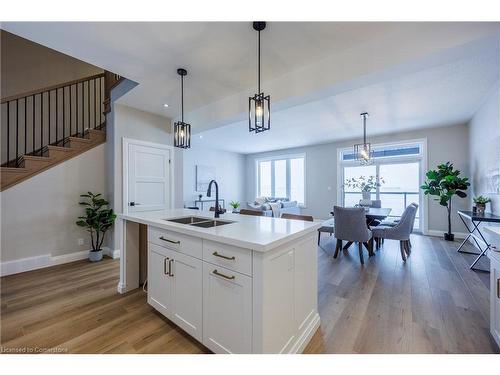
[{"x": 126, "y": 142}]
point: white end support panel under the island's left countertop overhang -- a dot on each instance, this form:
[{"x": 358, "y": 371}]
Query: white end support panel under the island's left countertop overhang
[{"x": 129, "y": 259}]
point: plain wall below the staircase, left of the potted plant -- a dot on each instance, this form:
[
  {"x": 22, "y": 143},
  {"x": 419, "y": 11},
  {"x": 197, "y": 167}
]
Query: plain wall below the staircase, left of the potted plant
[{"x": 39, "y": 214}]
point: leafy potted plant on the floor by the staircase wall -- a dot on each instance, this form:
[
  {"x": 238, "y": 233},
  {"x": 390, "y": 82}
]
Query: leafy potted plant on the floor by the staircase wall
[{"x": 97, "y": 220}]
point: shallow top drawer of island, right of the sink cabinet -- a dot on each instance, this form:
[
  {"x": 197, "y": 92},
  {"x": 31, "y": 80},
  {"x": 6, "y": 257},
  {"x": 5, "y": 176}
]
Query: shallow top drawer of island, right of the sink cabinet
[{"x": 230, "y": 257}]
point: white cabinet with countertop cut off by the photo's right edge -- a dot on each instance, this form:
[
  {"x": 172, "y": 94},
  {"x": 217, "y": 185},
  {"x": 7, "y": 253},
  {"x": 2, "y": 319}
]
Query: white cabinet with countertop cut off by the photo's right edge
[{"x": 494, "y": 233}]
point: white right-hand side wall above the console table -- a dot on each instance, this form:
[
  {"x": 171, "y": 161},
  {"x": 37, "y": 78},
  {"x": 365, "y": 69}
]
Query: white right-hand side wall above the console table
[{"x": 485, "y": 148}]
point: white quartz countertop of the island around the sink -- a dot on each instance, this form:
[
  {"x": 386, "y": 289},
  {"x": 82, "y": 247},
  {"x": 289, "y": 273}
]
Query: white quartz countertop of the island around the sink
[{"x": 259, "y": 233}]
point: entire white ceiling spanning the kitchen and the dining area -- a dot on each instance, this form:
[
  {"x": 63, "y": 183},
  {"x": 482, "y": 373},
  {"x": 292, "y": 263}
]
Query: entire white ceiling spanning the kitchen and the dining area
[{"x": 320, "y": 75}]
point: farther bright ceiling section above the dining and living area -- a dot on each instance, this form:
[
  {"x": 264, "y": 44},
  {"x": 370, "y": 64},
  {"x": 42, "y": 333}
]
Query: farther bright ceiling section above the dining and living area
[{"x": 442, "y": 95}]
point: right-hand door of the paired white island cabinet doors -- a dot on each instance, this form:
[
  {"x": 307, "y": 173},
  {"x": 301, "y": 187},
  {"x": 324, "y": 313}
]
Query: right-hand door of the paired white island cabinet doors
[{"x": 187, "y": 284}]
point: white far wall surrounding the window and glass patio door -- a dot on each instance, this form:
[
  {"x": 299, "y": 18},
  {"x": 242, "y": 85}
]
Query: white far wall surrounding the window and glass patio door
[{"x": 443, "y": 143}]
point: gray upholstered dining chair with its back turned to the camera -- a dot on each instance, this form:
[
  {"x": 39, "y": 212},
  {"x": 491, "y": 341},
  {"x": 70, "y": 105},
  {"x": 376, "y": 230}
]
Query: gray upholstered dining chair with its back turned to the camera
[{"x": 350, "y": 226}]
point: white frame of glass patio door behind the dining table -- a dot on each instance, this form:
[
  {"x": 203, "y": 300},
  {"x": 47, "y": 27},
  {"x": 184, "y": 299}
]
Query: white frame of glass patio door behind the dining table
[{"x": 421, "y": 158}]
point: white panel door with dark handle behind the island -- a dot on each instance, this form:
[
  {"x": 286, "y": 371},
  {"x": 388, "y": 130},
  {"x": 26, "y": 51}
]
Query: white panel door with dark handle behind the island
[{"x": 148, "y": 178}]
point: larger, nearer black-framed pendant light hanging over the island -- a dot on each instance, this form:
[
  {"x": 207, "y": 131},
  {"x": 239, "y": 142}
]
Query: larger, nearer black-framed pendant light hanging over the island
[{"x": 259, "y": 105}]
